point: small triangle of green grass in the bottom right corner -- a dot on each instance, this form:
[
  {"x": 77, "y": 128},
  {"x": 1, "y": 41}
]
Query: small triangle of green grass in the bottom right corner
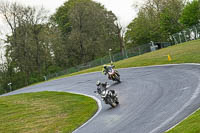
[{"x": 190, "y": 125}]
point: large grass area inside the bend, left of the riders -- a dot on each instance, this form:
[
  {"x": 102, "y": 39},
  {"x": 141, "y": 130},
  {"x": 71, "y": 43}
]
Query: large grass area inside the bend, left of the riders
[{"x": 44, "y": 112}]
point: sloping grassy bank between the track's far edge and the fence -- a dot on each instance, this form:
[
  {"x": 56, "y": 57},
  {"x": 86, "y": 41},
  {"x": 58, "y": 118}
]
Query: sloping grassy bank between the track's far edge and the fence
[{"x": 188, "y": 52}]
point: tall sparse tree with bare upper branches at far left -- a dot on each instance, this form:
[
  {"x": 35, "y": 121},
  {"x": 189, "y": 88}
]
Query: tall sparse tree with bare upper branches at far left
[{"x": 28, "y": 49}]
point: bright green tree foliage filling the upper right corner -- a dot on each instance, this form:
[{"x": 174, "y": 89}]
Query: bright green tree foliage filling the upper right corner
[{"x": 191, "y": 14}]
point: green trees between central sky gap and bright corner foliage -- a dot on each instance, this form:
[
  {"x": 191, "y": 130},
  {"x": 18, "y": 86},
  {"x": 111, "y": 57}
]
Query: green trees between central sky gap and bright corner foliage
[{"x": 156, "y": 20}]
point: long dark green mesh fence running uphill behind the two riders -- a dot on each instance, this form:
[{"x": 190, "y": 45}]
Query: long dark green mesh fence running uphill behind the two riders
[{"x": 107, "y": 59}]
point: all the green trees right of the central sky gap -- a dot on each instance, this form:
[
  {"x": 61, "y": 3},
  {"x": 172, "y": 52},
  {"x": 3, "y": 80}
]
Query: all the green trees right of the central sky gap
[{"x": 158, "y": 19}]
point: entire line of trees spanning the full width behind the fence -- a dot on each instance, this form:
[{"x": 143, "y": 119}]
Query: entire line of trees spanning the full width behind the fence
[{"x": 78, "y": 32}]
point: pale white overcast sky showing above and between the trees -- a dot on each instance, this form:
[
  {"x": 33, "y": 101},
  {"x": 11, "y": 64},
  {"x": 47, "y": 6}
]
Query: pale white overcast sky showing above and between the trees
[{"x": 123, "y": 9}]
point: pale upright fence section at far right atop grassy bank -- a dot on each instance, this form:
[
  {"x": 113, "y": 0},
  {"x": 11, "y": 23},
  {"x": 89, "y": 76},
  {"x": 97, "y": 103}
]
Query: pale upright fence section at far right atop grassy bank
[{"x": 185, "y": 35}]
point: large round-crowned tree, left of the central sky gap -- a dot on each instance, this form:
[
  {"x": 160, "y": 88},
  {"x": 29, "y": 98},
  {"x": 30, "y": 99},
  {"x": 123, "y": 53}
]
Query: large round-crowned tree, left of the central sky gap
[{"x": 92, "y": 30}]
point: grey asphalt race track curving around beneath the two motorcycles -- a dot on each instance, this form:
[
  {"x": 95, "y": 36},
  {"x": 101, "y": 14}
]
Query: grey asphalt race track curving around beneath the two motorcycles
[{"x": 152, "y": 99}]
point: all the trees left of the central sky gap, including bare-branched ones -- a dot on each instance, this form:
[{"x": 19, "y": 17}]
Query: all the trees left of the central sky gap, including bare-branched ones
[{"x": 78, "y": 32}]
